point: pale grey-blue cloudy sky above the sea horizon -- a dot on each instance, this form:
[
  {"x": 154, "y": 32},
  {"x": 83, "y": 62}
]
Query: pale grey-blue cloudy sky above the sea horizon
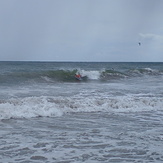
[{"x": 81, "y": 30}]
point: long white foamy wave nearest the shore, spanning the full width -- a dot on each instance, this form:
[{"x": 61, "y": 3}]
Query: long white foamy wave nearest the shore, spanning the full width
[{"x": 57, "y": 106}]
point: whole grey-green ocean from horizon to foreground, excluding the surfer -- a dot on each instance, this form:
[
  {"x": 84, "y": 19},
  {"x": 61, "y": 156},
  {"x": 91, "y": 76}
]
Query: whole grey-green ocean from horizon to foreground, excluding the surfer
[{"x": 114, "y": 114}]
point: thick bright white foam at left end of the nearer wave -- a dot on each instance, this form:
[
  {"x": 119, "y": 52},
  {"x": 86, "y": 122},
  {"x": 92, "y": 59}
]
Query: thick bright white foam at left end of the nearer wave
[{"x": 28, "y": 107}]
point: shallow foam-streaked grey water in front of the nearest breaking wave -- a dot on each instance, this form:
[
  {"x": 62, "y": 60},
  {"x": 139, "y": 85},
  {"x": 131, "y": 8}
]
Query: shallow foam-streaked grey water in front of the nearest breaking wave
[{"x": 84, "y": 137}]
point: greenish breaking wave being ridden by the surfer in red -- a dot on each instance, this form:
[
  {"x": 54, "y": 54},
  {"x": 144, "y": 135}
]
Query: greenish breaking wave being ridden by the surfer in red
[{"x": 69, "y": 75}]
